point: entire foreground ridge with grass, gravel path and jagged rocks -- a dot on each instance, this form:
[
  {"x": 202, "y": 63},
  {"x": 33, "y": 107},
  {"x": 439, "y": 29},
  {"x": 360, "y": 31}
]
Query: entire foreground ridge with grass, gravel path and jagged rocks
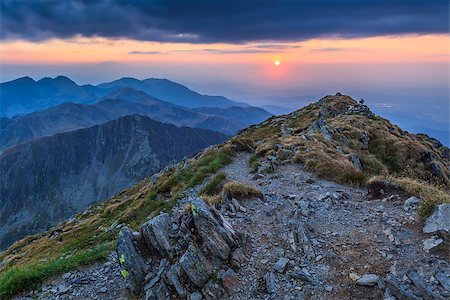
[{"x": 276, "y": 227}]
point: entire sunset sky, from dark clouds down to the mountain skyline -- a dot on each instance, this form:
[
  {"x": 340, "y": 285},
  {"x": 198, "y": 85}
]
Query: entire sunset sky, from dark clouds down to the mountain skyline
[{"x": 394, "y": 54}]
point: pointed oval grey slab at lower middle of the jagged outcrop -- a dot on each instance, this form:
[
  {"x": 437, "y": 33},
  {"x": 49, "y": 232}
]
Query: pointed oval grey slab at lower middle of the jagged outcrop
[{"x": 195, "y": 266}]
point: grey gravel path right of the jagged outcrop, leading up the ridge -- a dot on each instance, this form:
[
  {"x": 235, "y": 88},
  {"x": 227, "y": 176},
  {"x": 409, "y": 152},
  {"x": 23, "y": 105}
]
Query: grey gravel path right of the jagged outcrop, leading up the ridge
[{"x": 349, "y": 233}]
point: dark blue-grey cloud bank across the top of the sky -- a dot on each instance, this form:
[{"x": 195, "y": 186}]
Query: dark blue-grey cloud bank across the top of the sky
[{"x": 228, "y": 21}]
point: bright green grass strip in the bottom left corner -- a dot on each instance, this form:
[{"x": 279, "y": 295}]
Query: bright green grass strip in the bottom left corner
[{"x": 29, "y": 277}]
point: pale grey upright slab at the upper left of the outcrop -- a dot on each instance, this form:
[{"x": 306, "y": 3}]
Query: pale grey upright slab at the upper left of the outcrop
[{"x": 156, "y": 234}]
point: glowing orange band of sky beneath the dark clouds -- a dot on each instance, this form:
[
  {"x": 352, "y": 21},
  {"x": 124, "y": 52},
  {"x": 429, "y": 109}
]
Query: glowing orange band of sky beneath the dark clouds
[{"x": 407, "y": 49}]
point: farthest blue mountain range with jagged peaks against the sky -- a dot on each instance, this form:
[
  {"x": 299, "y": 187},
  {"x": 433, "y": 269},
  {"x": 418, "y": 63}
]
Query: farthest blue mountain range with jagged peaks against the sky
[{"x": 25, "y": 95}]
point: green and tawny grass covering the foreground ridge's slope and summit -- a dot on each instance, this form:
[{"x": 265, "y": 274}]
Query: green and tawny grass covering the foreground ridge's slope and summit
[{"x": 91, "y": 235}]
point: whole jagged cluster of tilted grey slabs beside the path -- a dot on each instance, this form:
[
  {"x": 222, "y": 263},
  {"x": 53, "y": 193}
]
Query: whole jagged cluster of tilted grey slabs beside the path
[{"x": 183, "y": 254}]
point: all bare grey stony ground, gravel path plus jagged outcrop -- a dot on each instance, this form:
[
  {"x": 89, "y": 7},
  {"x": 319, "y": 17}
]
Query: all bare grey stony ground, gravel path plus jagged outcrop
[{"x": 306, "y": 238}]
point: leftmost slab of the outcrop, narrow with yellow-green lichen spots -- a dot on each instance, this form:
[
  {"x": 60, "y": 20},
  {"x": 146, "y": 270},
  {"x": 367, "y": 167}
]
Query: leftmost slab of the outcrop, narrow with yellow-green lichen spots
[{"x": 133, "y": 266}]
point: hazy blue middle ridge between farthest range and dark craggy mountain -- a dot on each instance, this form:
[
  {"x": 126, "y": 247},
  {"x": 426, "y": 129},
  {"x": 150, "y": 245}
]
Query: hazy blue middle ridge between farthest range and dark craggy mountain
[{"x": 71, "y": 116}]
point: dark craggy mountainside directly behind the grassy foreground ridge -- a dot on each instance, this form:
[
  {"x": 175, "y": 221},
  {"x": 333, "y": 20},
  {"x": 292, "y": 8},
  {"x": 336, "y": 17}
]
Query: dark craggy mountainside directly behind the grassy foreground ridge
[{"x": 49, "y": 179}]
